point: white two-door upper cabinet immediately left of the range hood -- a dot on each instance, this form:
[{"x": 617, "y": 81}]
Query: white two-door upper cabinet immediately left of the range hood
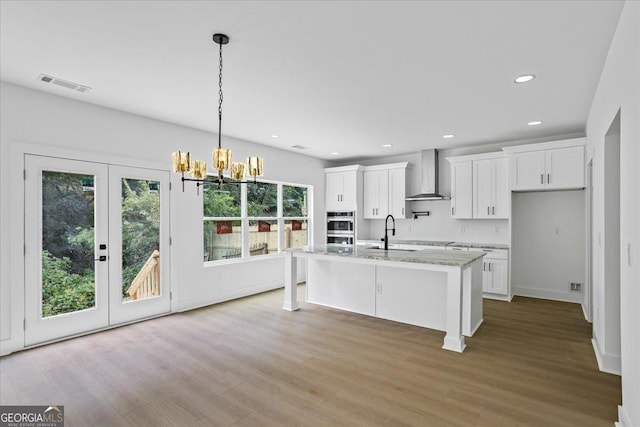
[{"x": 385, "y": 190}]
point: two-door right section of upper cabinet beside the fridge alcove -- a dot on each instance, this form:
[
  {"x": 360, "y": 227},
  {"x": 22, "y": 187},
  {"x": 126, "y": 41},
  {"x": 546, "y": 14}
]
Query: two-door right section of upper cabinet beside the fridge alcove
[{"x": 491, "y": 188}]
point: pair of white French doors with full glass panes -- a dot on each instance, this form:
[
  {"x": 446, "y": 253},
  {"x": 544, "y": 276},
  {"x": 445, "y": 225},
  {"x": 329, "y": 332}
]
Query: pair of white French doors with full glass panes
[{"x": 96, "y": 253}]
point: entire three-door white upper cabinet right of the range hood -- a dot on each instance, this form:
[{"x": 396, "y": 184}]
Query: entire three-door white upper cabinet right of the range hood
[{"x": 480, "y": 186}]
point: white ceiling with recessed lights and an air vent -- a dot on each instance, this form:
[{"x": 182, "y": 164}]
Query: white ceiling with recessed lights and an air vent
[{"x": 332, "y": 76}]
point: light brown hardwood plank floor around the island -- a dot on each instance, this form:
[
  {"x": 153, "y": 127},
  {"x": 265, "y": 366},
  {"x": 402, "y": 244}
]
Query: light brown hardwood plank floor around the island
[{"x": 249, "y": 363}]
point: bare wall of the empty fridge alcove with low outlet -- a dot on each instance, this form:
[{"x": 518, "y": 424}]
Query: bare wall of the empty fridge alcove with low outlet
[{"x": 548, "y": 244}]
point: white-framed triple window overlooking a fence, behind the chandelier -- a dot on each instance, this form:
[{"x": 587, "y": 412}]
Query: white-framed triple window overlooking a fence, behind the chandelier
[{"x": 276, "y": 218}]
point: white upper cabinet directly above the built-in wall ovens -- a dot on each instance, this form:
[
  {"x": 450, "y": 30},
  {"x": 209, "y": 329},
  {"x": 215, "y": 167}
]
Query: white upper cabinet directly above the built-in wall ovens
[{"x": 342, "y": 187}]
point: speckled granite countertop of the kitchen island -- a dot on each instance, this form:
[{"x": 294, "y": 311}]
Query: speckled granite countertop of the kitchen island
[{"x": 423, "y": 256}]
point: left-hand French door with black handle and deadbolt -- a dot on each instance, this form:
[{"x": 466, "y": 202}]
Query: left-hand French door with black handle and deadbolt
[{"x": 66, "y": 227}]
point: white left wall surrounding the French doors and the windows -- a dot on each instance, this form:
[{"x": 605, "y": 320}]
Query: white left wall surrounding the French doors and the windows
[{"x": 50, "y": 124}]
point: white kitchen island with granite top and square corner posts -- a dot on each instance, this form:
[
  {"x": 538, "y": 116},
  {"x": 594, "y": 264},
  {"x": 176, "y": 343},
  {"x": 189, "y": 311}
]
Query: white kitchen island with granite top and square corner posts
[{"x": 430, "y": 288}]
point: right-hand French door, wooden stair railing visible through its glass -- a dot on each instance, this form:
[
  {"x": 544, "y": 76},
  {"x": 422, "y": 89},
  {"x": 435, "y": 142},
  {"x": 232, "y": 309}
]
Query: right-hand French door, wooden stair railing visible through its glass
[{"x": 139, "y": 218}]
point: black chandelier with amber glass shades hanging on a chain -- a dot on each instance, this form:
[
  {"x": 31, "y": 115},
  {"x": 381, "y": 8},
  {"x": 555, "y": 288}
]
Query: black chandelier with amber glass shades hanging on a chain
[{"x": 197, "y": 169}]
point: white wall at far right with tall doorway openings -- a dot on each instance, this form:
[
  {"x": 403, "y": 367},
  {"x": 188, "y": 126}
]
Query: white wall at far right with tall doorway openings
[{"x": 619, "y": 89}]
